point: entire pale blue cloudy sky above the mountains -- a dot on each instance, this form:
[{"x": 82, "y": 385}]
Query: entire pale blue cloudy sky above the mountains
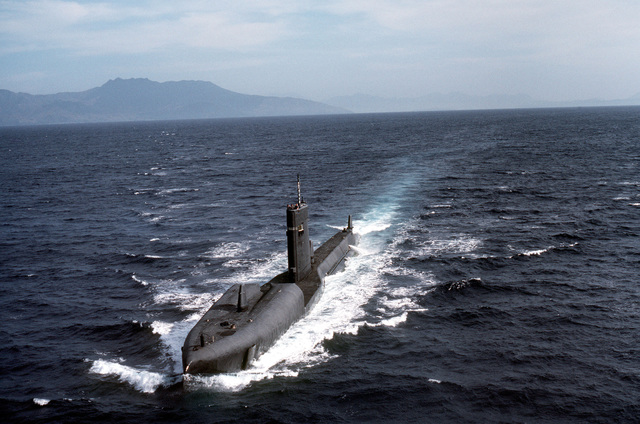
[{"x": 549, "y": 49}]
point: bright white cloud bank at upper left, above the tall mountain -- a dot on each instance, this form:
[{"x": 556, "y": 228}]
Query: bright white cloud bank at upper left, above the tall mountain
[{"x": 99, "y": 28}]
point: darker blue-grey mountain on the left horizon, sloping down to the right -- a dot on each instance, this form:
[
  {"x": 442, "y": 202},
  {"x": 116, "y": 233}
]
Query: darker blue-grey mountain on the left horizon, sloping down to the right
[{"x": 139, "y": 99}]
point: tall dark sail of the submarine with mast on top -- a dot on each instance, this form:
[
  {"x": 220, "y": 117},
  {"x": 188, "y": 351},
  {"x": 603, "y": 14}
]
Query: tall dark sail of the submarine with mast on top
[{"x": 299, "y": 247}]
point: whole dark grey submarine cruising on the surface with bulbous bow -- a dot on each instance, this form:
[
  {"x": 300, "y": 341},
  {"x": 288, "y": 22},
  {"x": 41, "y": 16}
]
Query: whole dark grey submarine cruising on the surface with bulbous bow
[{"x": 248, "y": 318}]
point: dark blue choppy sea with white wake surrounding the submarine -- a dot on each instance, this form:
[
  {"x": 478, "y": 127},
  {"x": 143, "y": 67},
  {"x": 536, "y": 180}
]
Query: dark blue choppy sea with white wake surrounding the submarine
[{"x": 496, "y": 280}]
